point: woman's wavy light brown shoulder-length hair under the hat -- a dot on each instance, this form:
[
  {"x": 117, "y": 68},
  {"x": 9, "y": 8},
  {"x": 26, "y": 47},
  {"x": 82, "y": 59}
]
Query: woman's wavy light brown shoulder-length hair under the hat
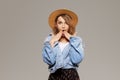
[{"x": 68, "y": 21}]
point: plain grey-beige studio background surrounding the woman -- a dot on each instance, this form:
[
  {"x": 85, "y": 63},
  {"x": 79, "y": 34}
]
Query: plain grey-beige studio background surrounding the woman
[{"x": 24, "y": 26}]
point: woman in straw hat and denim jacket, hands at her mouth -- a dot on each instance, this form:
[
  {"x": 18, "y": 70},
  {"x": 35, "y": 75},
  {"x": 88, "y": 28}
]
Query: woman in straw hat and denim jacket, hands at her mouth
[{"x": 63, "y": 50}]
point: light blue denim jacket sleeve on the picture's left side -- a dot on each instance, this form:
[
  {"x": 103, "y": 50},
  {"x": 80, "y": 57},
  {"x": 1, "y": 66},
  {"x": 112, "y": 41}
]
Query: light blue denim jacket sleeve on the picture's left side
[{"x": 47, "y": 53}]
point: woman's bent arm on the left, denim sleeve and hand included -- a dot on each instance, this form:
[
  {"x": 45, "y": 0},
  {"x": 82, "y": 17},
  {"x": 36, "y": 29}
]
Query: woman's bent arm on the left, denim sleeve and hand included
[{"x": 48, "y": 52}]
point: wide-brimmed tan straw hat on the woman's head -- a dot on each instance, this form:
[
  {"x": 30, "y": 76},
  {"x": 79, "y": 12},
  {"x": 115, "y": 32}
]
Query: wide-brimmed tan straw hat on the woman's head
[{"x": 55, "y": 13}]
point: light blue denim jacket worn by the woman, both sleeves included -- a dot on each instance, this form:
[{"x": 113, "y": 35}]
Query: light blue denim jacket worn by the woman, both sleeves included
[{"x": 70, "y": 57}]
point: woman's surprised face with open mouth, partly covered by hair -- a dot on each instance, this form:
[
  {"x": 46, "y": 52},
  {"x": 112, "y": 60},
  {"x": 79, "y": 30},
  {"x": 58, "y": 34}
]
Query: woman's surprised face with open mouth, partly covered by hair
[{"x": 61, "y": 24}]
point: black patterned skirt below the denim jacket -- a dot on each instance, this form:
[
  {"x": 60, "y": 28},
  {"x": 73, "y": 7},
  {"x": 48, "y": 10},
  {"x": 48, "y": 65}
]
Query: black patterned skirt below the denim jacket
[{"x": 64, "y": 74}]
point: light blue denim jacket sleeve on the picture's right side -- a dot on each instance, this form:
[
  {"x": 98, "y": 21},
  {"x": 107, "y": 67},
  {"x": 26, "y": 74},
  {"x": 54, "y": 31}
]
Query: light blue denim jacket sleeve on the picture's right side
[{"x": 76, "y": 50}]
